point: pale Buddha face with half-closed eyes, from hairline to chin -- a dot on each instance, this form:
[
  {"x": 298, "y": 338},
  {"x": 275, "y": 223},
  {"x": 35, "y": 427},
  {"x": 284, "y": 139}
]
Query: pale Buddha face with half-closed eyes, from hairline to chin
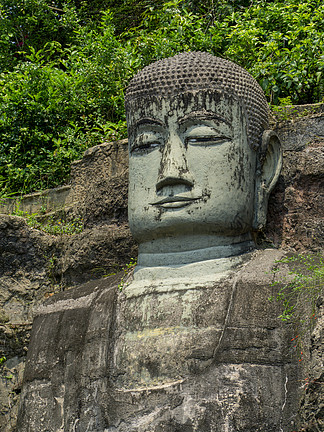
[{"x": 192, "y": 170}]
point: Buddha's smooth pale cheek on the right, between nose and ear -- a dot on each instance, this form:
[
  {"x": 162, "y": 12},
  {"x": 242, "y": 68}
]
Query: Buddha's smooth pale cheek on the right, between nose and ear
[{"x": 225, "y": 174}]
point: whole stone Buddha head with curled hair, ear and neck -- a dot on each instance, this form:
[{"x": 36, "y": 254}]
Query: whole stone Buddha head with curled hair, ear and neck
[{"x": 202, "y": 160}]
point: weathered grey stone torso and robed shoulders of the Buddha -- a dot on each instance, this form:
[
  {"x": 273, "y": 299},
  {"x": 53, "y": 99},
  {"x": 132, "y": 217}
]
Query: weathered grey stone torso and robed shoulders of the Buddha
[{"x": 100, "y": 362}]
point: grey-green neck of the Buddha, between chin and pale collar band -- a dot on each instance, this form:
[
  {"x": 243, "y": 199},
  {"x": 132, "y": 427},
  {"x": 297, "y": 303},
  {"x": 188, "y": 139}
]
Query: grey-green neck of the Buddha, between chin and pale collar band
[{"x": 183, "y": 250}]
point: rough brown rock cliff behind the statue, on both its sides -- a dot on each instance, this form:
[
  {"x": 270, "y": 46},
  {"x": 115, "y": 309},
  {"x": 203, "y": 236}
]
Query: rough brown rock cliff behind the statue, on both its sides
[{"x": 34, "y": 265}]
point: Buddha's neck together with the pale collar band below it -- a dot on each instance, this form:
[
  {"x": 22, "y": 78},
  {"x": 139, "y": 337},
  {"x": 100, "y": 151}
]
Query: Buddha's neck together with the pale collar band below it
[{"x": 173, "y": 264}]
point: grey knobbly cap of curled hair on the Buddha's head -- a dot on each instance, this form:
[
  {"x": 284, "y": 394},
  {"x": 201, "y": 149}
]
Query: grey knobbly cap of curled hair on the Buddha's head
[{"x": 192, "y": 71}]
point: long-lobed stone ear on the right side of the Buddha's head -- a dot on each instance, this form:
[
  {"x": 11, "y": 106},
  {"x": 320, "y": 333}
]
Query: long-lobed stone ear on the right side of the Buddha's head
[{"x": 267, "y": 175}]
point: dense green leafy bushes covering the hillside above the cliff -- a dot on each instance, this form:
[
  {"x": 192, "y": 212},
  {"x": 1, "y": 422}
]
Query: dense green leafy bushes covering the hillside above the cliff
[{"x": 64, "y": 67}]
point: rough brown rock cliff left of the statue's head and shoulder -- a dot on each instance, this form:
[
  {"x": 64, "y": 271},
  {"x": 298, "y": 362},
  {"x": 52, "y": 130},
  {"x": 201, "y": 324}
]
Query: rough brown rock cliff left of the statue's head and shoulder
[{"x": 34, "y": 265}]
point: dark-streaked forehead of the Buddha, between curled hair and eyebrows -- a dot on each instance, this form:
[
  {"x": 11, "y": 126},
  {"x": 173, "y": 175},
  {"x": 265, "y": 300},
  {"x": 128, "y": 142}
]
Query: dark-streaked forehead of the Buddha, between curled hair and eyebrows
[{"x": 197, "y": 104}]
